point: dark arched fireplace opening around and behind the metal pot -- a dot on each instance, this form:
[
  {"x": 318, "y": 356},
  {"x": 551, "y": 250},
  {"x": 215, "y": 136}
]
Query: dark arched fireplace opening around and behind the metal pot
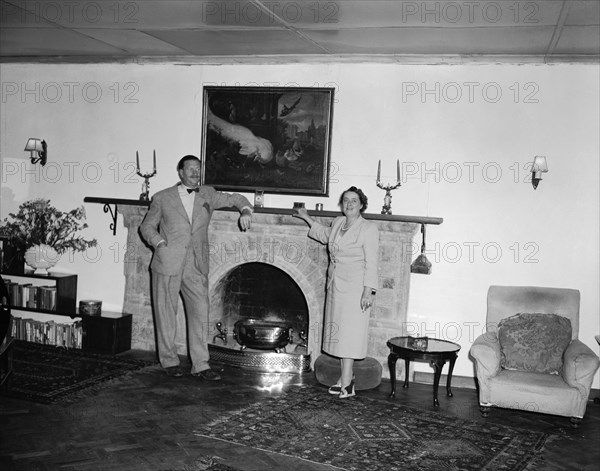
[{"x": 261, "y": 291}]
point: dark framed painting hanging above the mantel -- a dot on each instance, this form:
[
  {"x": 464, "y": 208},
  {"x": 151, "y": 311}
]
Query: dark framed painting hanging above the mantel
[{"x": 273, "y": 139}]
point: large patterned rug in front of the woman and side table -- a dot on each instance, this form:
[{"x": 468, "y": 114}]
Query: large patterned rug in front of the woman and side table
[{"x": 361, "y": 434}]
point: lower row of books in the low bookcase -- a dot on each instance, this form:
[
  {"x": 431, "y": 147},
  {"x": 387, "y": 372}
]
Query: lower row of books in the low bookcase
[{"x": 48, "y": 332}]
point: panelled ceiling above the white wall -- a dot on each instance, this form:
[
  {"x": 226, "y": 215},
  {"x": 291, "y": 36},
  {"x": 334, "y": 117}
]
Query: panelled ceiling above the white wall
[{"x": 231, "y": 30}]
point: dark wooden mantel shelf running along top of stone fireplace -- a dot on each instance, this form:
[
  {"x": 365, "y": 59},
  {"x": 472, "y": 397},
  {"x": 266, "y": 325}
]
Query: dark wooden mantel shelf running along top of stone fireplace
[{"x": 107, "y": 202}]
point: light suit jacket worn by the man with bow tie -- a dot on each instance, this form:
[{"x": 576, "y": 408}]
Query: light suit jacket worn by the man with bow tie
[{"x": 167, "y": 220}]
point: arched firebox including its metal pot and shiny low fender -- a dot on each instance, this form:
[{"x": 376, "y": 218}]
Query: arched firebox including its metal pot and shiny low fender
[{"x": 261, "y": 310}]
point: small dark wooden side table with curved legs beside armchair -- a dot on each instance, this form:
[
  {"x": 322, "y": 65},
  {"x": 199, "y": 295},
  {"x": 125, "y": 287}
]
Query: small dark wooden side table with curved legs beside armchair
[{"x": 435, "y": 351}]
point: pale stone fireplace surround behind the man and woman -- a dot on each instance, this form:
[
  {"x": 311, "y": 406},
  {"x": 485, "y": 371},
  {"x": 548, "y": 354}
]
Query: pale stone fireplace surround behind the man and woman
[{"x": 277, "y": 248}]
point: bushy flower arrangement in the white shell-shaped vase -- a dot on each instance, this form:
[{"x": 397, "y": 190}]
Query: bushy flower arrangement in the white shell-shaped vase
[{"x": 38, "y": 222}]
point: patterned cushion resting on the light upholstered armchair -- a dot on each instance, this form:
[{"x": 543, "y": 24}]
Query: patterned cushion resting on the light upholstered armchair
[{"x": 534, "y": 342}]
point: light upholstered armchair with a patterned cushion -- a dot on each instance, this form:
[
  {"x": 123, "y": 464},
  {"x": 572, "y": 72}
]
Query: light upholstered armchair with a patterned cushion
[{"x": 530, "y": 357}]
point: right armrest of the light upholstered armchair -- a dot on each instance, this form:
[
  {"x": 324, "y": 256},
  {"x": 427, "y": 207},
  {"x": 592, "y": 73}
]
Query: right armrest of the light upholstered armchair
[{"x": 580, "y": 364}]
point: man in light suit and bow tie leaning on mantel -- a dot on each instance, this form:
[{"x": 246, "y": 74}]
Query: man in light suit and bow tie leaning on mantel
[{"x": 176, "y": 225}]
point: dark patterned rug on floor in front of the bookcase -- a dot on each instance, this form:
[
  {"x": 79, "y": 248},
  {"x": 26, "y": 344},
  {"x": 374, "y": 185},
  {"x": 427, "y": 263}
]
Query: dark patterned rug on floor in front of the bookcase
[{"x": 48, "y": 374}]
